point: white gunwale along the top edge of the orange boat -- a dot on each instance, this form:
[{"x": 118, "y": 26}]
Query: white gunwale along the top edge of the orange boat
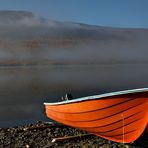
[{"x": 98, "y": 96}]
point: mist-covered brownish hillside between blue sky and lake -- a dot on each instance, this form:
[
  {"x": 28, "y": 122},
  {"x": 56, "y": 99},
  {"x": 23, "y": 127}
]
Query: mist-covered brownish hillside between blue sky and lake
[{"x": 28, "y": 39}]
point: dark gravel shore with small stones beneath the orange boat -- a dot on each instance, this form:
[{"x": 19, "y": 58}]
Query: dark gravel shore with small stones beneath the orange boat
[{"x": 41, "y": 135}]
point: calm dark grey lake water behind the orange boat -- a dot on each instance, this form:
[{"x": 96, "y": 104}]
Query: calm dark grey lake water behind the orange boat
[{"x": 24, "y": 89}]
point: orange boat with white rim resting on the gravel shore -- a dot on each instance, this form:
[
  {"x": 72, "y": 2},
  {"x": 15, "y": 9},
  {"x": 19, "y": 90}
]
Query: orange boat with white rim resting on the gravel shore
[{"x": 119, "y": 116}]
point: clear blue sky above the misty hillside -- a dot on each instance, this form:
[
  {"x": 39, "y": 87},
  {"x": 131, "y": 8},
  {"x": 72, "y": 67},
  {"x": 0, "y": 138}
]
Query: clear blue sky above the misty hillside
[{"x": 114, "y": 13}]
